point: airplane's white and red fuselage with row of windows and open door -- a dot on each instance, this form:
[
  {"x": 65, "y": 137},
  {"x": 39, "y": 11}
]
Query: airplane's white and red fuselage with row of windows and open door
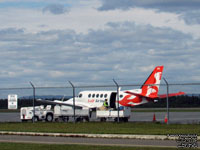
[{"x": 95, "y": 99}]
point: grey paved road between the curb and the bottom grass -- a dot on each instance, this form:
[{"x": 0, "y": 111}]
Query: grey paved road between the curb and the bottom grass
[{"x": 87, "y": 141}]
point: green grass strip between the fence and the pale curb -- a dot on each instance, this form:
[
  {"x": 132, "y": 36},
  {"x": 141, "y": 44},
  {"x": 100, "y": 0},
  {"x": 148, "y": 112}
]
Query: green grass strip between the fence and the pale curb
[{"x": 103, "y": 128}]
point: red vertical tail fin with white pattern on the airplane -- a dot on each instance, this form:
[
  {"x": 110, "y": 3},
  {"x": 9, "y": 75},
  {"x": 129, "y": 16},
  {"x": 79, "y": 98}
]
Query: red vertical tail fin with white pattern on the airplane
[{"x": 151, "y": 85}]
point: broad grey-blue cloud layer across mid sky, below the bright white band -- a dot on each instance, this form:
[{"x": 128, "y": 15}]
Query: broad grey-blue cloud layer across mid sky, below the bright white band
[{"x": 121, "y": 51}]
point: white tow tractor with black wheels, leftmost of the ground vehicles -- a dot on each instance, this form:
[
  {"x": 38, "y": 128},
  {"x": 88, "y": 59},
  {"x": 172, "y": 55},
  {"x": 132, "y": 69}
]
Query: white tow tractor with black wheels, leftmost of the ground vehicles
[{"x": 41, "y": 113}]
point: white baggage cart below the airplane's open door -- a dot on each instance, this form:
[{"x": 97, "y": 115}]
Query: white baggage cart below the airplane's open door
[{"x": 108, "y": 114}]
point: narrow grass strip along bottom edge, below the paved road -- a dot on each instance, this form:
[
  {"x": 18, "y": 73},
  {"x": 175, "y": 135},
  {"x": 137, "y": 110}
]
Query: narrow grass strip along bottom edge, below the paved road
[{"x": 25, "y": 146}]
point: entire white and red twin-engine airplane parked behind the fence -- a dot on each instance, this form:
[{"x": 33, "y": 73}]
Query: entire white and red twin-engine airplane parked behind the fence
[{"x": 128, "y": 98}]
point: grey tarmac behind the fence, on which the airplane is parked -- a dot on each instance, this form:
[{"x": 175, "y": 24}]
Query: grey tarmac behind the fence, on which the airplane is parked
[{"x": 175, "y": 117}]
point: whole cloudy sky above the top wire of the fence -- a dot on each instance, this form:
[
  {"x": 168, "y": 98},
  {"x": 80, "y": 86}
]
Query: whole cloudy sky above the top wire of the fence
[{"x": 95, "y": 41}]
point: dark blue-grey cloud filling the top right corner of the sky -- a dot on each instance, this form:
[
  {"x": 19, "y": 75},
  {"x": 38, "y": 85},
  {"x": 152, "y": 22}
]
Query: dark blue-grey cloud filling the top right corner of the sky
[{"x": 189, "y": 10}]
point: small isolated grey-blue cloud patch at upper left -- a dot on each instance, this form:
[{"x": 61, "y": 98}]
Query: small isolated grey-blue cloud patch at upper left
[{"x": 56, "y": 9}]
